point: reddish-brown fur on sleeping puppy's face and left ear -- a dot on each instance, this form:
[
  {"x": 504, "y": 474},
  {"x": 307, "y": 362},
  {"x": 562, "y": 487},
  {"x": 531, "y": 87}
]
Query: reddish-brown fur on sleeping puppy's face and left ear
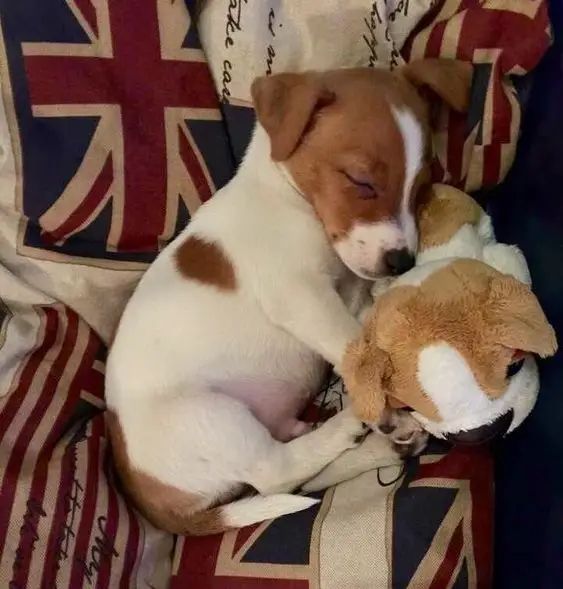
[{"x": 339, "y": 124}]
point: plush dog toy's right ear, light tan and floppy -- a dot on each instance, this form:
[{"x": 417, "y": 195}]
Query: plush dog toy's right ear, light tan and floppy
[{"x": 518, "y": 320}]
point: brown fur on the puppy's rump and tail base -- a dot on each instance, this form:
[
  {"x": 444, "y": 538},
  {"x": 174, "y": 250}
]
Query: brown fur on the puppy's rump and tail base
[{"x": 165, "y": 506}]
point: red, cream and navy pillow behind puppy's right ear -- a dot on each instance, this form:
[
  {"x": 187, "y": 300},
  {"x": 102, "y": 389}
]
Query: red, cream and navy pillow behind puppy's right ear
[{"x": 504, "y": 40}]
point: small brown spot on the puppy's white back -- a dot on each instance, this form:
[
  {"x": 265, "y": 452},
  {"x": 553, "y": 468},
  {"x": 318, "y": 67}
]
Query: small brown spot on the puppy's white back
[{"x": 205, "y": 262}]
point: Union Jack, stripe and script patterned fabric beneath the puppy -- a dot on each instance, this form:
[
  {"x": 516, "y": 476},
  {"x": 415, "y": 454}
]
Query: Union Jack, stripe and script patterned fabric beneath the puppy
[{"x": 113, "y": 130}]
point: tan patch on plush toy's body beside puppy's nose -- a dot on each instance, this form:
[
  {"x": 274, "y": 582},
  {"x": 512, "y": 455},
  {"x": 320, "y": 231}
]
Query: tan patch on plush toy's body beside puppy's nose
[{"x": 442, "y": 215}]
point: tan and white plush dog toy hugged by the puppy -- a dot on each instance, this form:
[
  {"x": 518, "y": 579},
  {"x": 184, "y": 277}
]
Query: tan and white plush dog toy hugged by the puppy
[{"x": 453, "y": 340}]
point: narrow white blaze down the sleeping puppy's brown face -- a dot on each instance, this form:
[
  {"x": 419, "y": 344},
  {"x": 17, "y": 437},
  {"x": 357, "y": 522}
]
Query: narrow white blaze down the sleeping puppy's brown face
[{"x": 413, "y": 141}]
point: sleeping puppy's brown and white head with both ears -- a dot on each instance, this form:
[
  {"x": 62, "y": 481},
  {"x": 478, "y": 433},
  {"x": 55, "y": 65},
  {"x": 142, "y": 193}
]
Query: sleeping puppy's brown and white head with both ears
[{"x": 357, "y": 144}]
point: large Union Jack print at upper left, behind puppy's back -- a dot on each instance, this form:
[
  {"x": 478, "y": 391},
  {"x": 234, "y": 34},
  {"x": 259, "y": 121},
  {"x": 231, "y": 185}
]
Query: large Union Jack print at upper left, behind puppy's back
[{"x": 116, "y": 116}]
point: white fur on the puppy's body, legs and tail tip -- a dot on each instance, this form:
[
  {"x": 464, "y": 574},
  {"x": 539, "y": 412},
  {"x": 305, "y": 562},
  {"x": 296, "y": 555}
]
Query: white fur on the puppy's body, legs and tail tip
[{"x": 180, "y": 343}]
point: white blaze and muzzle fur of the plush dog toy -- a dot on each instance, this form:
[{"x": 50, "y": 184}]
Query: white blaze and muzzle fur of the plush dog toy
[{"x": 449, "y": 382}]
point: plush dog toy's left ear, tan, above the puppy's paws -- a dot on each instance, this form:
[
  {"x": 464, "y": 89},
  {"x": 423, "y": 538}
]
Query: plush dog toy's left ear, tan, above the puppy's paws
[{"x": 364, "y": 370}]
